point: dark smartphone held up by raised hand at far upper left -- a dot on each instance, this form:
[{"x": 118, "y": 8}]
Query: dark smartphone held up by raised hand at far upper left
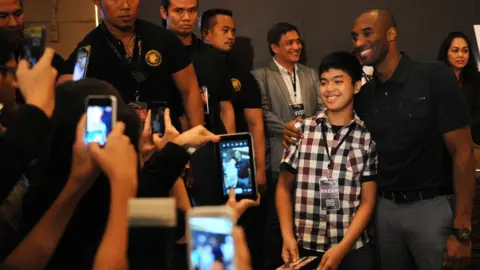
[{"x": 33, "y": 44}]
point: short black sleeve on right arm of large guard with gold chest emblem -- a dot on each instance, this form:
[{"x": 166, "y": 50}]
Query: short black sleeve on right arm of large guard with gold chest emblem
[{"x": 176, "y": 54}]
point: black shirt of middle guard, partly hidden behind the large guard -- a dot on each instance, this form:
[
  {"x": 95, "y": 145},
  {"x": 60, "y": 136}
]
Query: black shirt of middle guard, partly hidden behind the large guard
[{"x": 212, "y": 72}]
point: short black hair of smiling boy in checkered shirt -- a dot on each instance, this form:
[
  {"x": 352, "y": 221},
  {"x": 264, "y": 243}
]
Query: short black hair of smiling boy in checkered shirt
[{"x": 344, "y": 61}]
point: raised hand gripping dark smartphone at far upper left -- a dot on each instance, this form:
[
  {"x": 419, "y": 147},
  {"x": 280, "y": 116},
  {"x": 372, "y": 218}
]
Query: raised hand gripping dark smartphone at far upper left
[{"x": 37, "y": 84}]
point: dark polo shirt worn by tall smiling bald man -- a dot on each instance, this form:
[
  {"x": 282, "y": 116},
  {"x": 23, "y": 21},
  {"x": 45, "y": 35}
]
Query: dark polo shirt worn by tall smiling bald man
[{"x": 407, "y": 116}]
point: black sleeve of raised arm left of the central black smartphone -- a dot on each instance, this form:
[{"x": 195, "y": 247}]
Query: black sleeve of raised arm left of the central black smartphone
[{"x": 160, "y": 173}]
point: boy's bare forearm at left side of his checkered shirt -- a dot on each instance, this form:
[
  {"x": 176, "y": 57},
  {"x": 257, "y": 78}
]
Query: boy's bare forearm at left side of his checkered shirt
[{"x": 284, "y": 210}]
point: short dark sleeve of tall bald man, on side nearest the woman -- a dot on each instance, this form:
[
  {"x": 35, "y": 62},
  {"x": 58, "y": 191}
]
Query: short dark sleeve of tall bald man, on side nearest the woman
[{"x": 449, "y": 103}]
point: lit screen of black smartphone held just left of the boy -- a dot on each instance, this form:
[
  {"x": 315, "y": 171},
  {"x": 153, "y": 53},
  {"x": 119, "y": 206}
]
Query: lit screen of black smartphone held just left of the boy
[{"x": 236, "y": 159}]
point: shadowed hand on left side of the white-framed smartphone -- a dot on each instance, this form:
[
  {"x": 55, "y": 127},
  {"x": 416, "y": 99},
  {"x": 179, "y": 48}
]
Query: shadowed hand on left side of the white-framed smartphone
[{"x": 84, "y": 170}]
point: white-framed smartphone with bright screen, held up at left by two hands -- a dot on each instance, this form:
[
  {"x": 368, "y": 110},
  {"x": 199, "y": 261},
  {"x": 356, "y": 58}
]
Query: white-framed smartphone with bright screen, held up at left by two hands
[{"x": 101, "y": 116}]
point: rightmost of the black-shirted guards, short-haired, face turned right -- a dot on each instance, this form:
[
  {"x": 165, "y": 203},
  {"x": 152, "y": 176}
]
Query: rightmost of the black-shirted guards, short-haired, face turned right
[{"x": 218, "y": 29}]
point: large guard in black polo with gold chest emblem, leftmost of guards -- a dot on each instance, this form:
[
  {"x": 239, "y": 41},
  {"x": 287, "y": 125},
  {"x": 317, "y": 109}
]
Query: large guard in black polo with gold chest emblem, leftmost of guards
[{"x": 139, "y": 58}]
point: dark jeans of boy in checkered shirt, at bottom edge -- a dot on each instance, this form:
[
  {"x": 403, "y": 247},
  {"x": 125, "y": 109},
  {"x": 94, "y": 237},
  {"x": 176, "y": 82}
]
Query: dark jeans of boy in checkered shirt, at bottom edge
[{"x": 358, "y": 259}]
